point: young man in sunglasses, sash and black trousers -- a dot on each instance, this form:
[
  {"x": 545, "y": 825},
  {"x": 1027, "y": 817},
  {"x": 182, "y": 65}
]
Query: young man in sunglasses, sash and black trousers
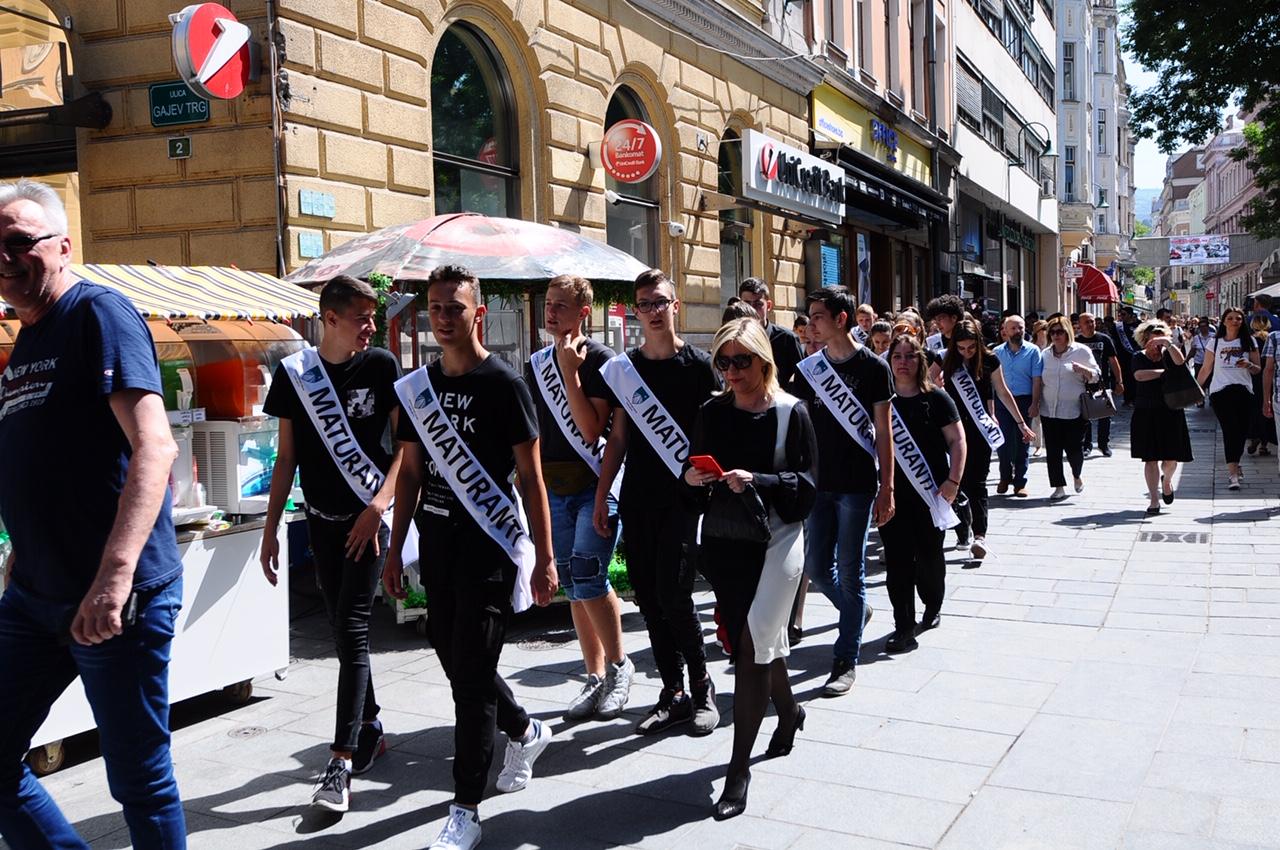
[{"x": 657, "y": 528}]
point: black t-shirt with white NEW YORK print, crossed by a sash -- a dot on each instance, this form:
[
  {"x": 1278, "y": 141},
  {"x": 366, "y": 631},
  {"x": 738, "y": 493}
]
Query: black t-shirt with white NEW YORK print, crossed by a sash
[{"x": 492, "y": 410}]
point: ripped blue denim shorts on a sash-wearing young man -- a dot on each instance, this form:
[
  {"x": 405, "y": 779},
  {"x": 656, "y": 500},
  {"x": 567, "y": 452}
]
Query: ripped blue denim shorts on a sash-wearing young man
[{"x": 582, "y": 555}]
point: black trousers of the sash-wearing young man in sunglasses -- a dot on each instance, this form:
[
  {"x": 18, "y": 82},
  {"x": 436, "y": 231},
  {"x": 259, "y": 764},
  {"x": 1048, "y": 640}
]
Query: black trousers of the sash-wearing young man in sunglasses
[{"x": 661, "y": 565}]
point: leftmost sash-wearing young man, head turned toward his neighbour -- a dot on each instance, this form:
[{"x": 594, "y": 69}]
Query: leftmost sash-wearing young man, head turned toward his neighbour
[{"x": 349, "y": 538}]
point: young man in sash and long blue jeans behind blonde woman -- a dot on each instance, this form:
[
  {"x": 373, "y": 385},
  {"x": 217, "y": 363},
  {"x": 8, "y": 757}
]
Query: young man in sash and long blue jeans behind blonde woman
[{"x": 852, "y": 493}]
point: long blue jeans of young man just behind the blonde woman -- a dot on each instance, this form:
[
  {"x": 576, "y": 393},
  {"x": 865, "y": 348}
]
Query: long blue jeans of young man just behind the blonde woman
[{"x": 835, "y": 543}]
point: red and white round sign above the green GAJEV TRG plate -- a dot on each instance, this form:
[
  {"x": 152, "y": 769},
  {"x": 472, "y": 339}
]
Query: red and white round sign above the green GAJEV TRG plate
[{"x": 212, "y": 51}]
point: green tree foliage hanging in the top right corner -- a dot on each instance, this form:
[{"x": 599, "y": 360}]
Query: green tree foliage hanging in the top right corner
[{"x": 1206, "y": 56}]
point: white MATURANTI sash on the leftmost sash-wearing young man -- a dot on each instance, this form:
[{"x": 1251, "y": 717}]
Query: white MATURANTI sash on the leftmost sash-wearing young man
[{"x": 326, "y": 410}]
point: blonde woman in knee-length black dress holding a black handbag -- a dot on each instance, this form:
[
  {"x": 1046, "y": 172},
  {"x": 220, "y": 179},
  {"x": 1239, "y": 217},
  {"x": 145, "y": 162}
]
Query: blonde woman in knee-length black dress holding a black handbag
[{"x": 1159, "y": 436}]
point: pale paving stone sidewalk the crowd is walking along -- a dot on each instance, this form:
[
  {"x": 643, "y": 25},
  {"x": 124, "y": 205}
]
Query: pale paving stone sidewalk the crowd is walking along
[{"x": 1104, "y": 680}]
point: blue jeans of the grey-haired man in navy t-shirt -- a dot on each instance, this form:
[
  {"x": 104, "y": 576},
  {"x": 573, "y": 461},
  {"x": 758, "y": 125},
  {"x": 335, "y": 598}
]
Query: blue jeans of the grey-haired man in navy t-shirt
[{"x": 127, "y": 683}]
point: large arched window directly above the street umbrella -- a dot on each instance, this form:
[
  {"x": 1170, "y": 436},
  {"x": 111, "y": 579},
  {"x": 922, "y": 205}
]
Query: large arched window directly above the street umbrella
[{"x": 473, "y": 127}]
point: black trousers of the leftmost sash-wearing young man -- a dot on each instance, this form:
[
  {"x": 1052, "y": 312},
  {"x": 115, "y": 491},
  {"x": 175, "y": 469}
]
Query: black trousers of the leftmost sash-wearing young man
[{"x": 349, "y": 589}]
